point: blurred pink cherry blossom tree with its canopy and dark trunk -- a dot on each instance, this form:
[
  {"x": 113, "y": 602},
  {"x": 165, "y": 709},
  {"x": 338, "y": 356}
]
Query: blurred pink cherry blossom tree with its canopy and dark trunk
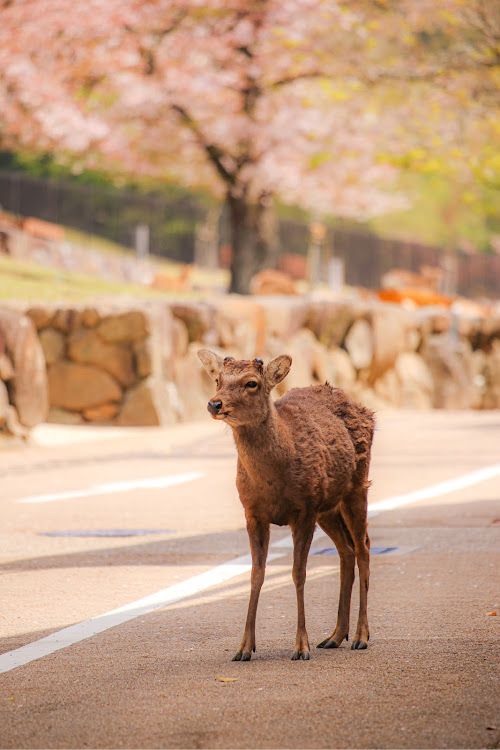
[{"x": 306, "y": 100}]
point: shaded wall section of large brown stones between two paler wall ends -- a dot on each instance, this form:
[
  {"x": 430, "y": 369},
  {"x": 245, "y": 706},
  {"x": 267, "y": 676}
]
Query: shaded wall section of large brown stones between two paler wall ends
[{"x": 107, "y": 367}]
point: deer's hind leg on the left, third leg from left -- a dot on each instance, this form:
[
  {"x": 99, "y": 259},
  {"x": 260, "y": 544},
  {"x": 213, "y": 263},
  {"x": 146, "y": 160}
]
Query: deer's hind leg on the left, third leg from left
[{"x": 333, "y": 524}]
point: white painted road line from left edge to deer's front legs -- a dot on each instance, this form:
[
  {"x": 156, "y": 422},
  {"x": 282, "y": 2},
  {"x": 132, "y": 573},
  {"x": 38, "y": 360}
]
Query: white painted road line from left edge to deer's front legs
[{"x": 83, "y": 630}]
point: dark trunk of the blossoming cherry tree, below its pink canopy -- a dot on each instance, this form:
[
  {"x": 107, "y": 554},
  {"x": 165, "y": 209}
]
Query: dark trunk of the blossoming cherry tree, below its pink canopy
[{"x": 253, "y": 238}]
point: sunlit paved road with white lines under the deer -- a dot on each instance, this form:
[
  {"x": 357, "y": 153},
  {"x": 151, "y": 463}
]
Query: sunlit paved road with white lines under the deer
[{"x": 151, "y": 674}]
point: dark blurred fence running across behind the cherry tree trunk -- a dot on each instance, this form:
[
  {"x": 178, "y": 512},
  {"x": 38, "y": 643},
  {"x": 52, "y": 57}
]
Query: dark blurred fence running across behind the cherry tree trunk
[{"x": 173, "y": 221}]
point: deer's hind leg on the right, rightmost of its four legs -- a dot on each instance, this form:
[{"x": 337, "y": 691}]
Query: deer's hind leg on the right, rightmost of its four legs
[{"x": 354, "y": 509}]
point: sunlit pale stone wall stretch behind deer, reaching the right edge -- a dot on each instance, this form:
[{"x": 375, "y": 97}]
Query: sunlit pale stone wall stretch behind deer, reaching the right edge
[{"x": 382, "y": 354}]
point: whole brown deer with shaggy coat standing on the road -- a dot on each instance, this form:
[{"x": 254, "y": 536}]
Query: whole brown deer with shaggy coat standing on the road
[{"x": 303, "y": 460}]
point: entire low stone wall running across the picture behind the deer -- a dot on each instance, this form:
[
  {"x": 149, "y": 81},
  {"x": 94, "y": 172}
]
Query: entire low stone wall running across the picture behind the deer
[{"x": 139, "y": 366}]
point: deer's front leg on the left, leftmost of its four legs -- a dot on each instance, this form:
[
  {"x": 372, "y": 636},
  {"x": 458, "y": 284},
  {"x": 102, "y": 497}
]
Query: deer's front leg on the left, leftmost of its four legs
[{"x": 258, "y": 534}]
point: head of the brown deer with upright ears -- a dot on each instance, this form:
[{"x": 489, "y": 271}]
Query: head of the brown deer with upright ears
[{"x": 243, "y": 386}]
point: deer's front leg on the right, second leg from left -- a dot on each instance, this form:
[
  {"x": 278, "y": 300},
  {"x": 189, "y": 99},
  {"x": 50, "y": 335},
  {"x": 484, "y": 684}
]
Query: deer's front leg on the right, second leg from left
[{"x": 302, "y": 532}]
